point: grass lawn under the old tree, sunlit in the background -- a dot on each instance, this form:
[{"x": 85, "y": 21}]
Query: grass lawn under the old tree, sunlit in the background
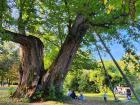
[{"x": 91, "y": 99}]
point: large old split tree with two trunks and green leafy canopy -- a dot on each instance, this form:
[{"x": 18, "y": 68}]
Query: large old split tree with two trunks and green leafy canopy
[{"x": 68, "y": 20}]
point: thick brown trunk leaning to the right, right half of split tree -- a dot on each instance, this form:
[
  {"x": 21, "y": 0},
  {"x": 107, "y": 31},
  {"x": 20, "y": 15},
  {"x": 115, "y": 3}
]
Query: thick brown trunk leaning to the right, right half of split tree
[{"x": 58, "y": 70}]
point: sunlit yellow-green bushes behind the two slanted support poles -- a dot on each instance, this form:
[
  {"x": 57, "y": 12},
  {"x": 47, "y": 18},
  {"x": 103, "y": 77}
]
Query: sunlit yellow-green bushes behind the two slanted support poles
[{"x": 95, "y": 80}]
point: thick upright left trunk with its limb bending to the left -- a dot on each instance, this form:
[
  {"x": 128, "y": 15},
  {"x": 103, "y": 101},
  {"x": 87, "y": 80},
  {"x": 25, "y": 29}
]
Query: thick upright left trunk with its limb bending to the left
[{"x": 32, "y": 65}]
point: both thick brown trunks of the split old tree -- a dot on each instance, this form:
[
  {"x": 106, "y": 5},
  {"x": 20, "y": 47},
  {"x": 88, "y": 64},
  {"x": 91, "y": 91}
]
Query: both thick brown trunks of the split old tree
[{"x": 32, "y": 67}]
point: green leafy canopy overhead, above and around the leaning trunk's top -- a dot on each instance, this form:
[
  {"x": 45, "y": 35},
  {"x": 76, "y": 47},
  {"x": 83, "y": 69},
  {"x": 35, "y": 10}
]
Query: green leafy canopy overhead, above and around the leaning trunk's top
[{"x": 55, "y": 18}]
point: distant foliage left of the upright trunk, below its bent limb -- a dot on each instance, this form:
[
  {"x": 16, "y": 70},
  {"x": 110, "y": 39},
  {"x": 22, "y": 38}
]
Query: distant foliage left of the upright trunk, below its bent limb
[{"x": 8, "y": 63}]
